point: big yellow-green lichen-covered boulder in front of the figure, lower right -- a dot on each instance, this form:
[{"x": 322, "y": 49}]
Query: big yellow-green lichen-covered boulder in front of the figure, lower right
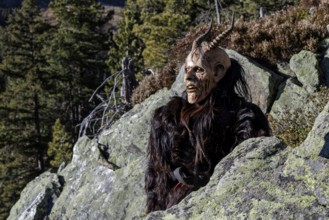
[{"x": 259, "y": 178}]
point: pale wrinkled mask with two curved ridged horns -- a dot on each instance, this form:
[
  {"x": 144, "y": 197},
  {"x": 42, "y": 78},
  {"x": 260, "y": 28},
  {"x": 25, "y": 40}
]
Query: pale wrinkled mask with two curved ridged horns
[{"x": 205, "y": 66}]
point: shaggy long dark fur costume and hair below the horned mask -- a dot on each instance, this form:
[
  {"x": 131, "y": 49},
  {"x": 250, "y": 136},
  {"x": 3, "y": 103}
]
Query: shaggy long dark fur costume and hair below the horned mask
[{"x": 197, "y": 136}]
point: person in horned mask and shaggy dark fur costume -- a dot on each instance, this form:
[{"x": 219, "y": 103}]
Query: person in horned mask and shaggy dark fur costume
[{"x": 192, "y": 133}]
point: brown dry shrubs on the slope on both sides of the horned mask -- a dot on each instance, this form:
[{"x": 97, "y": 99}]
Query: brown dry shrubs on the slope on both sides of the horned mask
[{"x": 270, "y": 40}]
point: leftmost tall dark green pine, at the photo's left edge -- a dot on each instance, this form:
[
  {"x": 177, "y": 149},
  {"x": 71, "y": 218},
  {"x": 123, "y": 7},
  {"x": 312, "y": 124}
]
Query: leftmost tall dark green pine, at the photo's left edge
[{"x": 25, "y": 96}]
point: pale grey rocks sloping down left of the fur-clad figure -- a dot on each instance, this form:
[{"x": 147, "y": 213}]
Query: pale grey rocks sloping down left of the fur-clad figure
[{"x": 106, "y": 176}]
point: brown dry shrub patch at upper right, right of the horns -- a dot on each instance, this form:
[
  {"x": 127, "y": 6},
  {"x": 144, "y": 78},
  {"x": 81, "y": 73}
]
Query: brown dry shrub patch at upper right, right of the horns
[{"x": 276, "y": 38}]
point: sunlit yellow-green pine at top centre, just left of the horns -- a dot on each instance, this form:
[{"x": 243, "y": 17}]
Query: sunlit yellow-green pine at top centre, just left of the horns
[{"x": 163, "y": 22}]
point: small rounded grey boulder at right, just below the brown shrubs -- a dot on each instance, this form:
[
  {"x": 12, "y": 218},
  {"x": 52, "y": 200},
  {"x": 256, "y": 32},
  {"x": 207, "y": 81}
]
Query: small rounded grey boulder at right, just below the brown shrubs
[{"x": 306, "y": 67}]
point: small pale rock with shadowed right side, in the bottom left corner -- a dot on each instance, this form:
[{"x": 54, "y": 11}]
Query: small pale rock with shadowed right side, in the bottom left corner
[{"x": 37, "y": 198}]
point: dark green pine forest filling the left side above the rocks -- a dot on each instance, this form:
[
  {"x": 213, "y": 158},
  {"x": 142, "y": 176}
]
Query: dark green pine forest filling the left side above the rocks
[{"x": 46, "y": 73}]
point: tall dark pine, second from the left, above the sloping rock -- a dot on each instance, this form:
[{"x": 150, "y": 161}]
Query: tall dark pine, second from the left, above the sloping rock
[{"x": 77, "y": 54}]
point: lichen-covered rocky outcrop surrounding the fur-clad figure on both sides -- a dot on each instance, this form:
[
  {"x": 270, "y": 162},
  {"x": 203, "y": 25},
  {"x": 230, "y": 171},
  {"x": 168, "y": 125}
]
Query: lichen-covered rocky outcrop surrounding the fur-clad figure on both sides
[{"x": 260, "y": 178}]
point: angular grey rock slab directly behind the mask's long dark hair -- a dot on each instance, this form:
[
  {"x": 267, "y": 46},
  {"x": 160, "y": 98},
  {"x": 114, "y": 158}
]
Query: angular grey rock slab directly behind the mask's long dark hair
[{"x": 262, "y": 82}]
